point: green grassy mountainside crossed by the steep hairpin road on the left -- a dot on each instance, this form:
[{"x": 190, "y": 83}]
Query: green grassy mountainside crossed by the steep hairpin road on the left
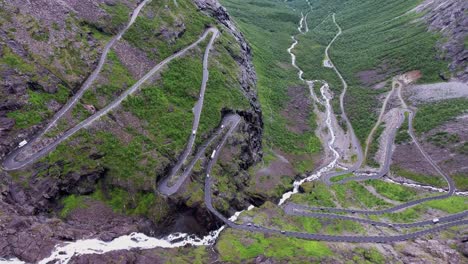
[{"x": 134, "y": 145}]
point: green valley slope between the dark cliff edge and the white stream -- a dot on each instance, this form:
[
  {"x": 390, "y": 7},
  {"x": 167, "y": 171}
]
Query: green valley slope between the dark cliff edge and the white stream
[{"x": 269, "y": 35}]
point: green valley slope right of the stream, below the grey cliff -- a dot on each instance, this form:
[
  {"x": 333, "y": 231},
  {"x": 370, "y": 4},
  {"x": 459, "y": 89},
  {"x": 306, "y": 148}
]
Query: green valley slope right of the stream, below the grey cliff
[{"x": 376, "y": 36}]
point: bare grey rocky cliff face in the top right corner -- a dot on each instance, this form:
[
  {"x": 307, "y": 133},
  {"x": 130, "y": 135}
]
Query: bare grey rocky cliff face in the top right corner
[{"x": 449, "y": 17}]
